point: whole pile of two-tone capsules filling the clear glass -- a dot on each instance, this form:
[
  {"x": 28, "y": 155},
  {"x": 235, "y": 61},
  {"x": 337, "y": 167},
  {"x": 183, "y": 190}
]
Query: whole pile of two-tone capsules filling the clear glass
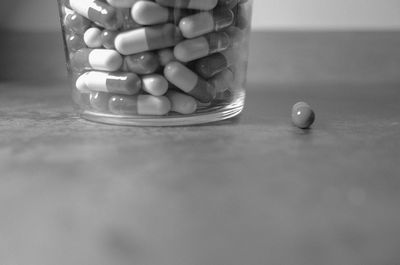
[{"x": 155, "y": 57}]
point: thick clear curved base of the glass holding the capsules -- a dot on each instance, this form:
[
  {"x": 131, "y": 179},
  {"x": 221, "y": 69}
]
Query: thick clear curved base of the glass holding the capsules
[{"x": 203, "y": 117}]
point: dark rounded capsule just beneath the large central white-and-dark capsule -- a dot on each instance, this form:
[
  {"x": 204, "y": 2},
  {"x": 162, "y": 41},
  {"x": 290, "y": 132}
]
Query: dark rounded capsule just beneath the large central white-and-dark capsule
[{"x": 142, "y": 63}]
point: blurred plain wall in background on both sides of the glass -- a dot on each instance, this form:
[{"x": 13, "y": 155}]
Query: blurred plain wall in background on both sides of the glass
[{"x": 271, "y": 14}]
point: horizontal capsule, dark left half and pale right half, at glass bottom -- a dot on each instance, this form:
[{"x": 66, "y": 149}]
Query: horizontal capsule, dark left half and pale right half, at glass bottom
[{"x": 139, "y": 105}]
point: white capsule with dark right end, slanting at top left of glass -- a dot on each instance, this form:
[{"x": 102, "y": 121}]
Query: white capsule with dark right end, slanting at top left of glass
[{"x": 98, "y": 12}]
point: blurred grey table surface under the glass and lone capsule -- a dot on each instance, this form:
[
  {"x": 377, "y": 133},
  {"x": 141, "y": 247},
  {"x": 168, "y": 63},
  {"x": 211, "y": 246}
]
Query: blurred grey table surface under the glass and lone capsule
[{"x": 253, "y": 190}]
